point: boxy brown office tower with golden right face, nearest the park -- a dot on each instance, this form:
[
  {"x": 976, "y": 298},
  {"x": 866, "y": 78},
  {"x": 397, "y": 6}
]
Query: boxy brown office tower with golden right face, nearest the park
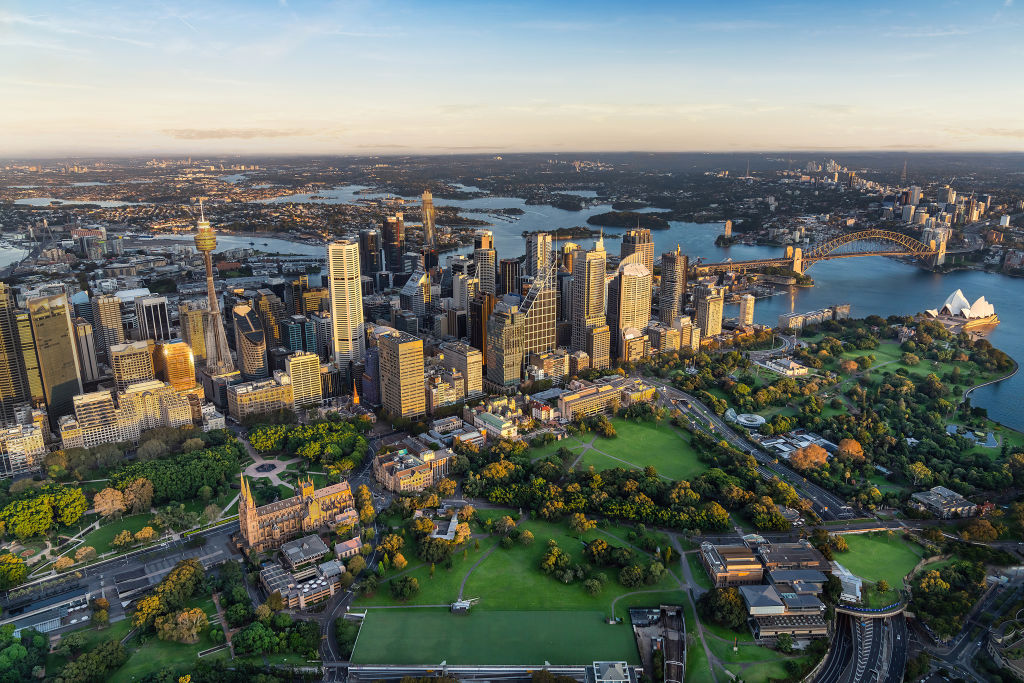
[{"x": 402, "y": 375}]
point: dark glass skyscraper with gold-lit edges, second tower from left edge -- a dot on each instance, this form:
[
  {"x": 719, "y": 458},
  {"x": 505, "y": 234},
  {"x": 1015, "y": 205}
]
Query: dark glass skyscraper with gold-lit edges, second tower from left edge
[{"x": 55, "y": 339}]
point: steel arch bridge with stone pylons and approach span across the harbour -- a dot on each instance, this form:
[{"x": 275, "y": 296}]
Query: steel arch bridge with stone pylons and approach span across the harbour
[{"x": 852, "y": 245}]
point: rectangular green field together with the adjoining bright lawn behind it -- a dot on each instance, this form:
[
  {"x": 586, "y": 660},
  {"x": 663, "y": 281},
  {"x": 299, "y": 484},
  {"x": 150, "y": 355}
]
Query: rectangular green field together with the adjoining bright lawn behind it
[{"x": 524, "y": 616}]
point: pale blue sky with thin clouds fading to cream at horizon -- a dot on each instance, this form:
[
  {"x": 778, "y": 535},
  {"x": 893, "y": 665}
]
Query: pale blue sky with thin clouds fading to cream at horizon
[{"x": 383, "y": 77}]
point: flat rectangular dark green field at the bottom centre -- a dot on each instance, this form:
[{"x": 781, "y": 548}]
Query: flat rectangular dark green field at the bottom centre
[{"x": 430, "y": 636}]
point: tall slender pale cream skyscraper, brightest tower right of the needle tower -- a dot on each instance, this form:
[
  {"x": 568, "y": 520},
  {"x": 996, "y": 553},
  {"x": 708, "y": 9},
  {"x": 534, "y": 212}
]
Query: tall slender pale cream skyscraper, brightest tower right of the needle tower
[{"x": 347, "y": 303}]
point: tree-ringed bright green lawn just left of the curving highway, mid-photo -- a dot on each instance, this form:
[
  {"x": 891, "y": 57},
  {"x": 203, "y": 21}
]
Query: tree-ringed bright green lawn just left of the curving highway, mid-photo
[{"x": 644, "y": 444}]
